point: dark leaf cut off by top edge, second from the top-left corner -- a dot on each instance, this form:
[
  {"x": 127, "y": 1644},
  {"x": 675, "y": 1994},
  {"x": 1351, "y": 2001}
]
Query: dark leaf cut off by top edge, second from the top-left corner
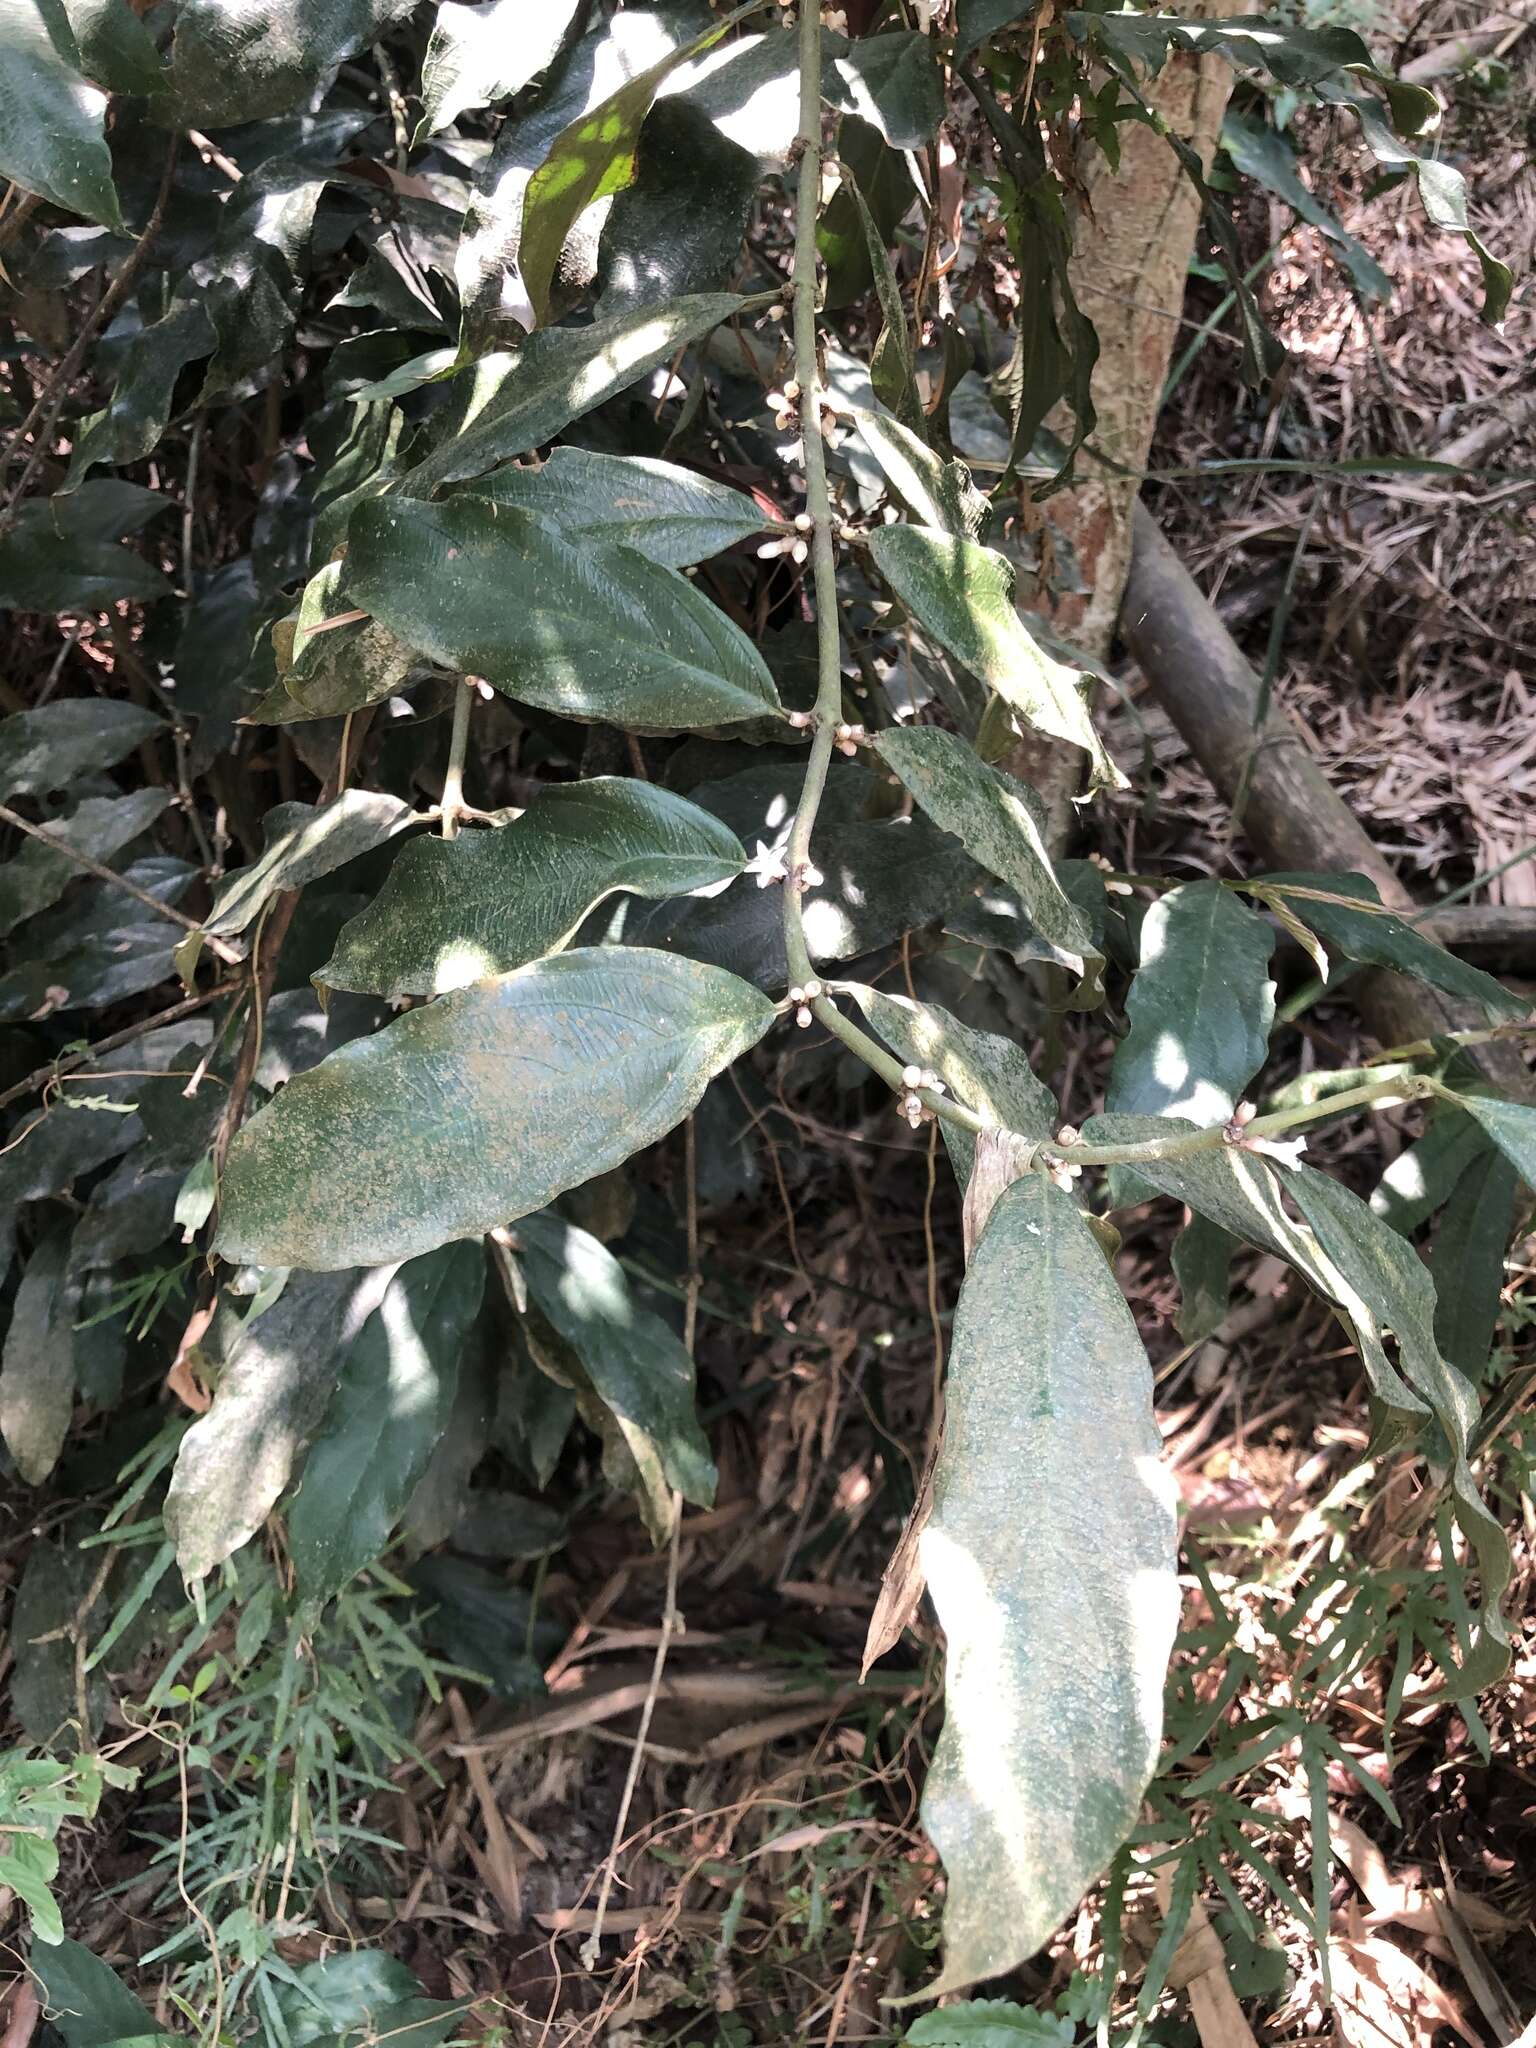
[{"x": 243, "y": 60}]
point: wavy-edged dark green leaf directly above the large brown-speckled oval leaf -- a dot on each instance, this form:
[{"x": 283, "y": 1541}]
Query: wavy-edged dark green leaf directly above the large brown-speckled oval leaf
[{"x": 486, "y": 902}]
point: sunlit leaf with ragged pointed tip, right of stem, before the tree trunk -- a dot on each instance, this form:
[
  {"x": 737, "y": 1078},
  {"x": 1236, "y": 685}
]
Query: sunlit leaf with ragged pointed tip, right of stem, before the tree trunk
[{"x": 964, "y": 595}]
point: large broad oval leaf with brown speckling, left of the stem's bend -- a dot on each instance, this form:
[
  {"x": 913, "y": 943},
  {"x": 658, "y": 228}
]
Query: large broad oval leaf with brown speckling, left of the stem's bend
[{"x": 482, "y": 1107}]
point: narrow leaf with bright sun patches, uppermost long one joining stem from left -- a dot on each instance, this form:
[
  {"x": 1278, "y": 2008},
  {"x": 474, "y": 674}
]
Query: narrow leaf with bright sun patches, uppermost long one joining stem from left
[{"x": 515, "y": 402}]
